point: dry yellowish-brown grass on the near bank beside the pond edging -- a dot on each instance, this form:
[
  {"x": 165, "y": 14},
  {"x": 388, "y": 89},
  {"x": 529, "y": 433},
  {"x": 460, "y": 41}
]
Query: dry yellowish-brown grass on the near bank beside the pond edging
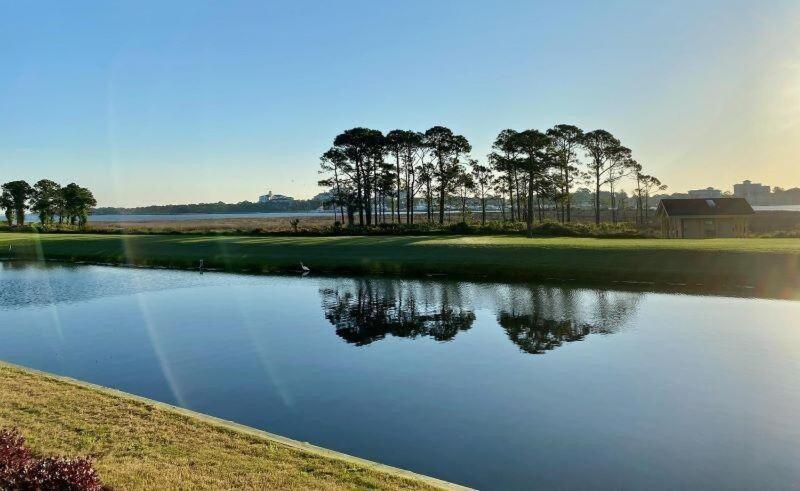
[{"x": 140, "y": 445}]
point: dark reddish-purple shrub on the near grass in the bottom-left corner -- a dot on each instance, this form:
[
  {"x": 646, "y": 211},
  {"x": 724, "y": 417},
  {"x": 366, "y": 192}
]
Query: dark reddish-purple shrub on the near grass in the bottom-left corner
[{"x": 19, "y": 470}]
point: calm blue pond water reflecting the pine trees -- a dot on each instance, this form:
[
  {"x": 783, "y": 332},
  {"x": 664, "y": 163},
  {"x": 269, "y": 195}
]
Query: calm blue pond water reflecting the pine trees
[{"x": 496, "y": 386}]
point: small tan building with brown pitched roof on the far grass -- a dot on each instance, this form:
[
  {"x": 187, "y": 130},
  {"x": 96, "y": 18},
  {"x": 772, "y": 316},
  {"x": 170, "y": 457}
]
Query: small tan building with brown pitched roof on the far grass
[{"x": 704, "y": 218}]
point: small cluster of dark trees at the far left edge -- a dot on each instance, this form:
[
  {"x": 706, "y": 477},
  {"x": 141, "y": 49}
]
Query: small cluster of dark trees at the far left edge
[{"x": 50, "y": 201}]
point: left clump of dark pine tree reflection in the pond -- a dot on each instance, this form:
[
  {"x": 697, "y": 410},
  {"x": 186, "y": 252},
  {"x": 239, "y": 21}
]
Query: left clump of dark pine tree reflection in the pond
[{"x": 366, "y": 310}]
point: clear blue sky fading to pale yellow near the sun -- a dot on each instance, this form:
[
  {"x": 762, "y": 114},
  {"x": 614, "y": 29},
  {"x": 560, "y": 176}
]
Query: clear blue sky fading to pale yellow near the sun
[{"x": 153, "y": 102}]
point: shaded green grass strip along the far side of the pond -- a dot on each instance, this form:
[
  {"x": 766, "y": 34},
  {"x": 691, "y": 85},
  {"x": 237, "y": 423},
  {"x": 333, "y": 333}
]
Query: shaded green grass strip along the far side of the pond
[{"x": 766, "y": 262}]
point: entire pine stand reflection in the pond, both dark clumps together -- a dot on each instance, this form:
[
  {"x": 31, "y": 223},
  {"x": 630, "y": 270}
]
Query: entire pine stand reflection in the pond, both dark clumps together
[{"x": 536, "y": 318}]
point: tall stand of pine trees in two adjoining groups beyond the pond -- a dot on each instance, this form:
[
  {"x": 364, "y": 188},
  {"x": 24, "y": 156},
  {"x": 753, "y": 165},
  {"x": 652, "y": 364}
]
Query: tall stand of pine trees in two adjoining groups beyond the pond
[{"x": 528, "y": 170}]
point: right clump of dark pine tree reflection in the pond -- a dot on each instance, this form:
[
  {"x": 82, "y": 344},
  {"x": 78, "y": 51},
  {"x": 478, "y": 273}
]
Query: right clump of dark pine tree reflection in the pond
[{"x": 539, "y": 319}]
